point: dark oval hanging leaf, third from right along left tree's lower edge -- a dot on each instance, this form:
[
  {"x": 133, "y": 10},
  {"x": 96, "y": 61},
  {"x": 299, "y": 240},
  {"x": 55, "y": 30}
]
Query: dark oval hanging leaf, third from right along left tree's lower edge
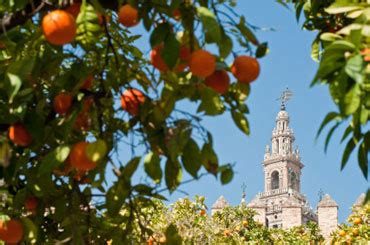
[{"x": 192, "y": 158}]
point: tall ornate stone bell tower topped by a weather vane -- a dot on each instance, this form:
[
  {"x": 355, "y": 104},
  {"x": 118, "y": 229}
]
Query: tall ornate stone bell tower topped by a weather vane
[{"x": 282, "y": 205}]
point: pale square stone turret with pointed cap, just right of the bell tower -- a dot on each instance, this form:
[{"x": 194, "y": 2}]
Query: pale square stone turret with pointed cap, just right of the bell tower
[{"x": 327, "y": 211}]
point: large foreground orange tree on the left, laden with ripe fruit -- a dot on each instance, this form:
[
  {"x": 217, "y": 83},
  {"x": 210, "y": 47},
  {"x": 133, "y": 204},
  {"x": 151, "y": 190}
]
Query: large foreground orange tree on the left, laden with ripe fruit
[{"x": 75, "y": 88}]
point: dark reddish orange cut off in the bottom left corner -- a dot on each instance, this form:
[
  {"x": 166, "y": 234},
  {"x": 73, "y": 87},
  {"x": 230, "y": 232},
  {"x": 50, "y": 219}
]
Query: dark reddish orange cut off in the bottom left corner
[{"x": 11, "y": 231}]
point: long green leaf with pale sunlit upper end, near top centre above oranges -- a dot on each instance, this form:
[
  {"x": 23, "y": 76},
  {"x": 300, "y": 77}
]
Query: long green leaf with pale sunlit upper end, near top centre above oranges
[{"x": 210, "y": 25}]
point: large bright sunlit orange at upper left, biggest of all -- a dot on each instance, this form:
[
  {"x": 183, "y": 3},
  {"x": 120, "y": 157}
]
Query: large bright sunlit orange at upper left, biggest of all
[{"x": 59, "y": 27}]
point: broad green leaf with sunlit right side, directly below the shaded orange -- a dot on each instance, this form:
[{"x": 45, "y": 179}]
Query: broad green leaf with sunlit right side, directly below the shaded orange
[{"x": 211, "y": 102}]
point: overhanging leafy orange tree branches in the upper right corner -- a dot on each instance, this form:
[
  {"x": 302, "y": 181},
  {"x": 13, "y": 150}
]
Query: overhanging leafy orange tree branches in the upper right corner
[{"x": 342, "y": 48}]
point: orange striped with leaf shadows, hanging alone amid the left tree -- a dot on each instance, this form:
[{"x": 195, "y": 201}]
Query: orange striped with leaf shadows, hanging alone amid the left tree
[{"x": 131, "y": 99}]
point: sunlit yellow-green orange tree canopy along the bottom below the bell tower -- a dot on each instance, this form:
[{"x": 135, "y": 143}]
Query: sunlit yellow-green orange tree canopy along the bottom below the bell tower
[{"x": 231, "y": 225}]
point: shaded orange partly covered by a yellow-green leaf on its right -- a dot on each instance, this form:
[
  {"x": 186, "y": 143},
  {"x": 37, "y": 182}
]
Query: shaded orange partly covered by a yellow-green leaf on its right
[{"x": 78, "y": 158}]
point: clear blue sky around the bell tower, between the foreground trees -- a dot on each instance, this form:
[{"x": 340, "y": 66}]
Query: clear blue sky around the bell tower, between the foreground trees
[{"x": 287, "y": 65}]
